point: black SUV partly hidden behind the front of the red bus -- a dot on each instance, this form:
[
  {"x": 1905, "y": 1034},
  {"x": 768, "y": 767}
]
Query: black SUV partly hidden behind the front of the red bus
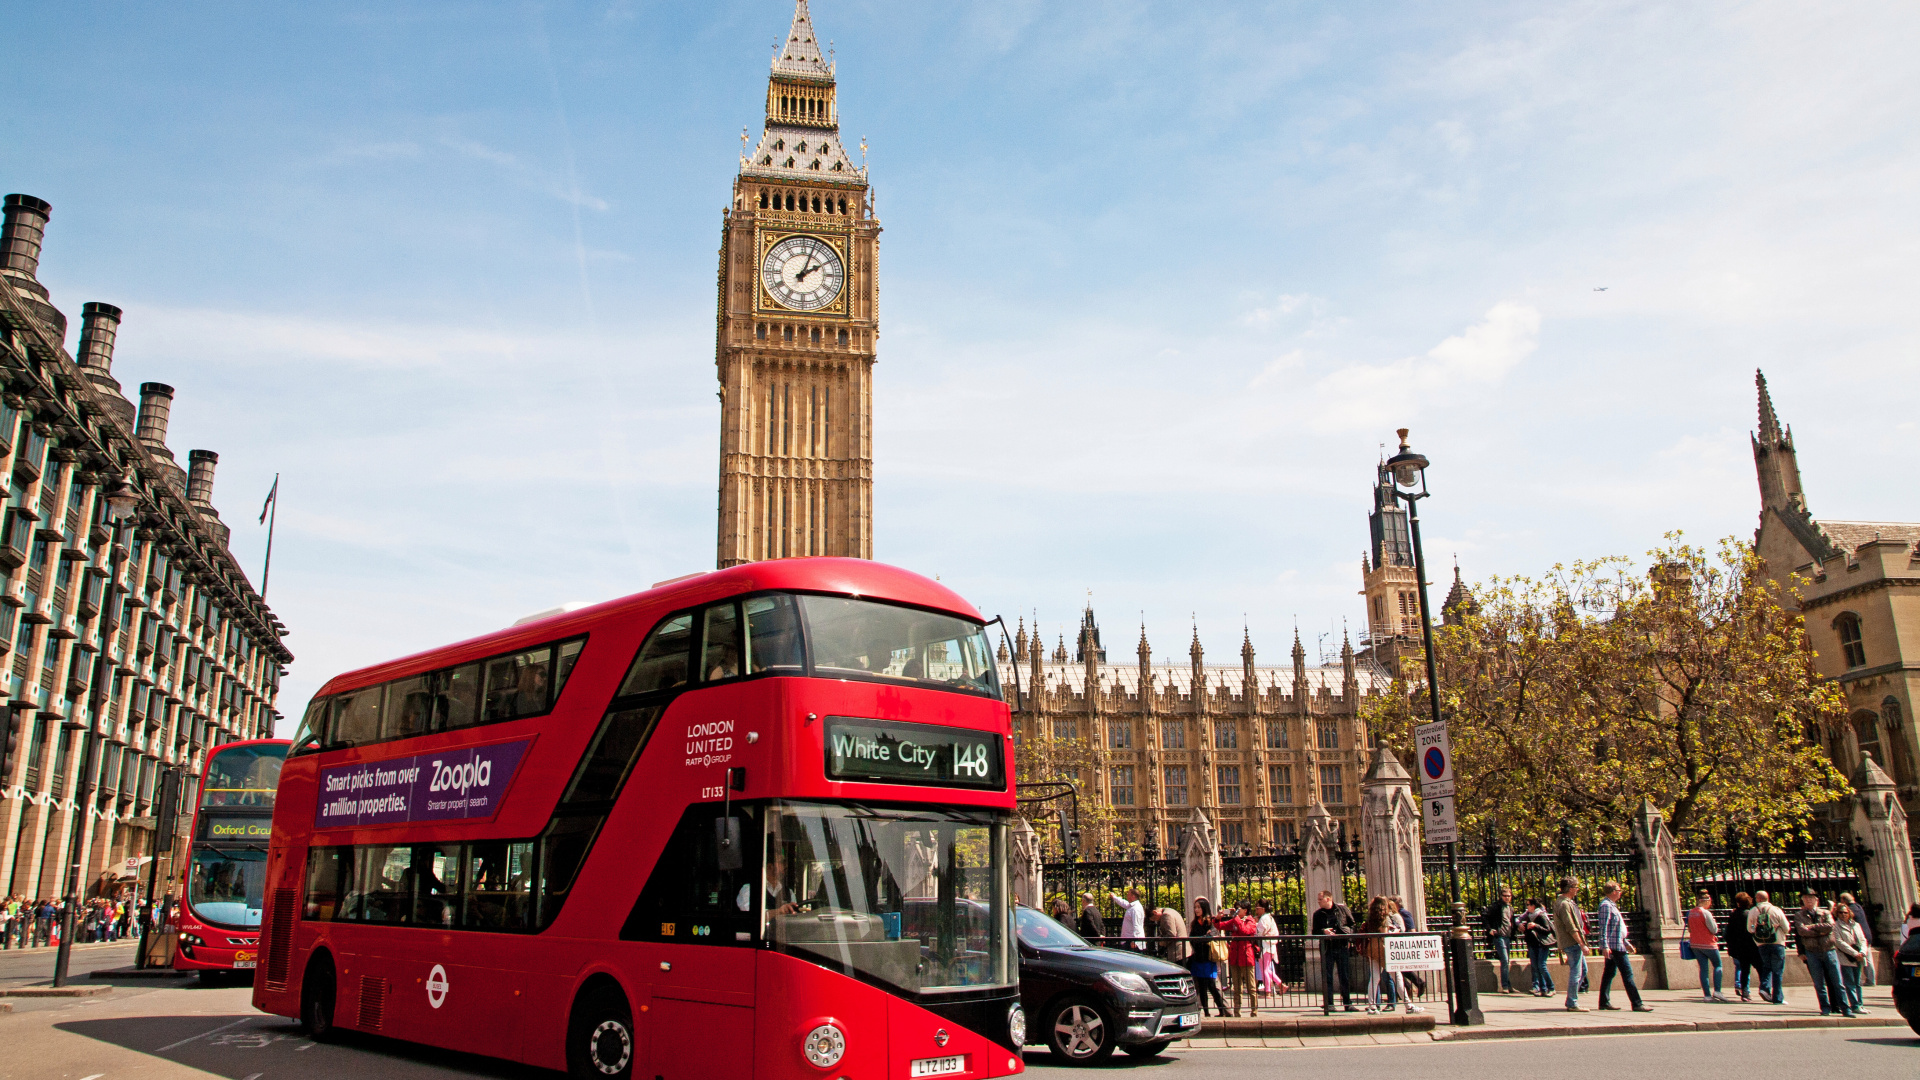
[{"x": 1086, "y": 1000}]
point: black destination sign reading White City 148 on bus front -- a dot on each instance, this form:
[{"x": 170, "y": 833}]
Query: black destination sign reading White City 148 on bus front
[{"x": 894, "y": 752}]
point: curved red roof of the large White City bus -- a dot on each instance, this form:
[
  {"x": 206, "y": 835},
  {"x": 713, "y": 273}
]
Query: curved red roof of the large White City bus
[{"x": 855, "y": 577}]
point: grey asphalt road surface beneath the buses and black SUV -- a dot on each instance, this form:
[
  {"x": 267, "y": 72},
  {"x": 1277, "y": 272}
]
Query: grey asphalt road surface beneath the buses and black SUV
[{"x": 183, "y": 1031}]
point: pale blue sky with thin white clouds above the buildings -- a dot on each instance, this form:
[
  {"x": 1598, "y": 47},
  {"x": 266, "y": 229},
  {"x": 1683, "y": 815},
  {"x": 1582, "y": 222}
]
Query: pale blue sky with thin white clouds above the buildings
[{"x": 1159, "y": 282}]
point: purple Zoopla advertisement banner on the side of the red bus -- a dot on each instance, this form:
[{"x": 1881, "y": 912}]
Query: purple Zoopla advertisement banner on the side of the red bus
[{"x": 452, "y": 785}]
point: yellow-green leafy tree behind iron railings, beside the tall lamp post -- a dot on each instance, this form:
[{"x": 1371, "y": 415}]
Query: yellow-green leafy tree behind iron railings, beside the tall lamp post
[{"x": 1575, "y": 697}]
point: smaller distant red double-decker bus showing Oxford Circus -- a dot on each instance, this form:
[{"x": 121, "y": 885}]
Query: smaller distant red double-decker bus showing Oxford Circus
[{"x": 228, "y": 858}]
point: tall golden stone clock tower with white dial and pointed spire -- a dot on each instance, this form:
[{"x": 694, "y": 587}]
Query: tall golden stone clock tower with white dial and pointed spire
[{"x": 798, "y": 326}]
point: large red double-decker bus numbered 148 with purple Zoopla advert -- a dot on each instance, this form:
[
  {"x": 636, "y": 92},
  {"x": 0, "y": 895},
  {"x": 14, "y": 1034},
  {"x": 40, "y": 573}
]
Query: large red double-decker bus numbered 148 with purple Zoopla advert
[{"x": 750, "y": 823}]
